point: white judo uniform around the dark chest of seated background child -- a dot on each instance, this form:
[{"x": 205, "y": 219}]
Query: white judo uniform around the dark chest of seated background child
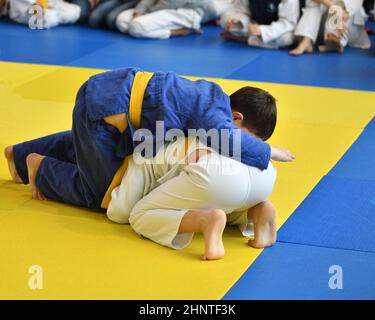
[{"x": 278, "y": 34}]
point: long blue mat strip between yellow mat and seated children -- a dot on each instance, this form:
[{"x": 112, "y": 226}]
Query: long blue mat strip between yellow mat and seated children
[{"x": 206, "y": 55}]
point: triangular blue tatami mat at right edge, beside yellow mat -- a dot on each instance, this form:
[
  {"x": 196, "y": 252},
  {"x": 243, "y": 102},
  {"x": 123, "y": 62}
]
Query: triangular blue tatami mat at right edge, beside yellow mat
[{"x": 340, "y": 211}]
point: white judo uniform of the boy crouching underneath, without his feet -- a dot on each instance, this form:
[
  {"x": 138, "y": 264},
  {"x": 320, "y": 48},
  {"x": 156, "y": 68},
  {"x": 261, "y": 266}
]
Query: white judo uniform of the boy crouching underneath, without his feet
[{"x": 154, "y": 197}]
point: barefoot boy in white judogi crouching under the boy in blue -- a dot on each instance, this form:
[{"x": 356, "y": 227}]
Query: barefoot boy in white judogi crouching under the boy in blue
[{"x": 170, "y": 198}]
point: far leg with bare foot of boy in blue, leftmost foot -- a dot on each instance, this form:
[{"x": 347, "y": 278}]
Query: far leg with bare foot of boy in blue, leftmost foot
[{"x": 59, "y": 146}]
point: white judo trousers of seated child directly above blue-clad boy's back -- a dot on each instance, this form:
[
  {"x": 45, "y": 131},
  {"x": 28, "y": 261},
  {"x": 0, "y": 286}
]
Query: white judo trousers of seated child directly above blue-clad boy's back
[{"x": 158, "y": 24}]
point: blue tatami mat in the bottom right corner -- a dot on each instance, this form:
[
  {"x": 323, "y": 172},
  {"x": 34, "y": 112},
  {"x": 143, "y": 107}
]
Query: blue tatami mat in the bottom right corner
[{"x": 290, "y": 271}]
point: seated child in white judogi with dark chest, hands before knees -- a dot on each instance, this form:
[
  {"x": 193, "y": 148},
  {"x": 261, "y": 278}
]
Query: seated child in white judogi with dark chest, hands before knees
[{"x": 262, "y": 23}]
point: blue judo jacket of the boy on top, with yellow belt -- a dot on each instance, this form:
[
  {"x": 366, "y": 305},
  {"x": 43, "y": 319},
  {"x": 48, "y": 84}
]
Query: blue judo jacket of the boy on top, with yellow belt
[{"x": 180, "y": 103}]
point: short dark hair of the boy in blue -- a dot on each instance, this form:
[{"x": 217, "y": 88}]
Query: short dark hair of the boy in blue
[{"x": 258, "y": 108}]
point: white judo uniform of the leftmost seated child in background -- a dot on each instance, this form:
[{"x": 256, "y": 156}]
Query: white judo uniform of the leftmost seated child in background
[{"x": 58, "y": 12}]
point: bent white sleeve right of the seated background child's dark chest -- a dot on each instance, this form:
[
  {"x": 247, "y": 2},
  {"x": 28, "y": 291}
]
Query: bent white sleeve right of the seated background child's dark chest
[{"x": 288, "y": 19}]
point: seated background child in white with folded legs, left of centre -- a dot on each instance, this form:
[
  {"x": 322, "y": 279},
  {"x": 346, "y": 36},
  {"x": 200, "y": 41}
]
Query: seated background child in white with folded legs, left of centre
[{"x": 161, "y": 19}]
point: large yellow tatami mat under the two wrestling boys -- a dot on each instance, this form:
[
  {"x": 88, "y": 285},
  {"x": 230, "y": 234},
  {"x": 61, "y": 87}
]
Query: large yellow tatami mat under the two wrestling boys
[{"x": 83, "y": 255}]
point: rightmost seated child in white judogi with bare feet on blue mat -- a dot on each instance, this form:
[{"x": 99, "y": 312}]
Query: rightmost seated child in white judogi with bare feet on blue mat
[{"x": 340, "y": 23}]
